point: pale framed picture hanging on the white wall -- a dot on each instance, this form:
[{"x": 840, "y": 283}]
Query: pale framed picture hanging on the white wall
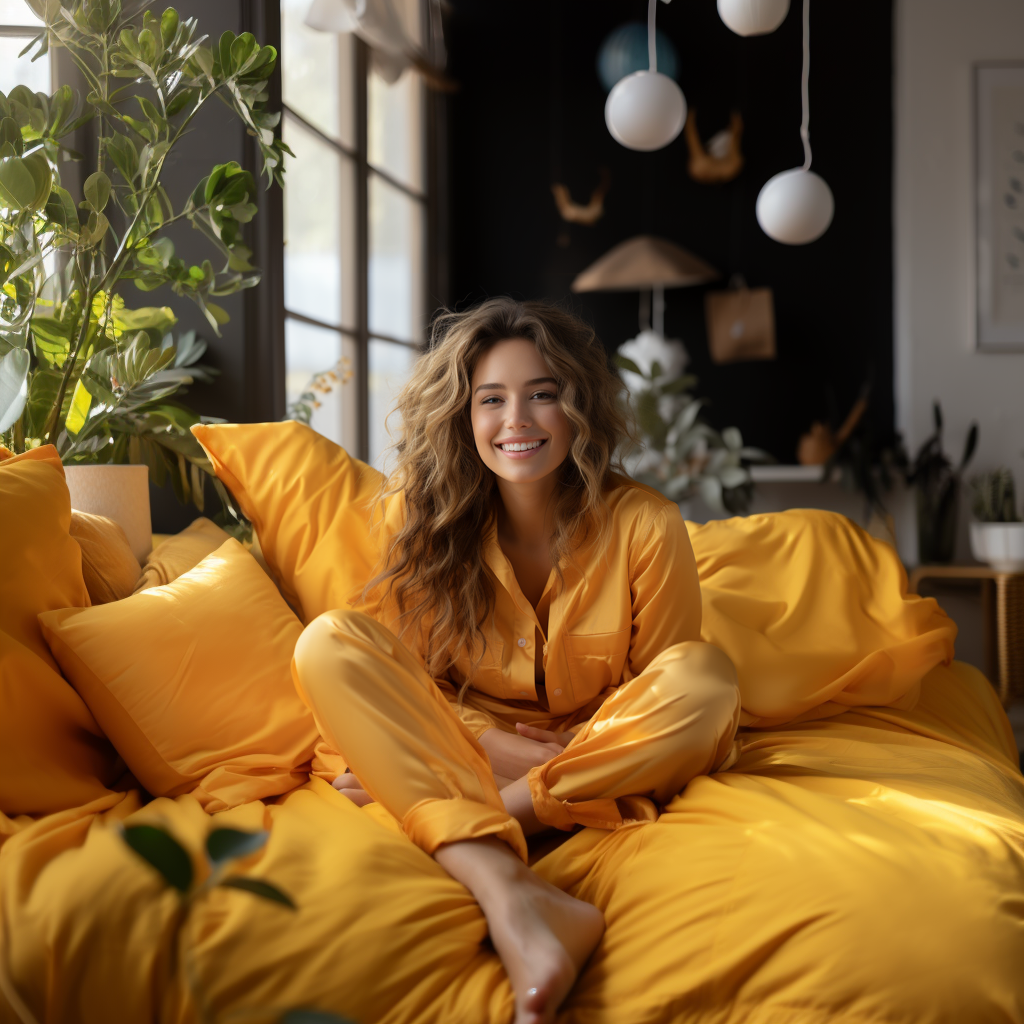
[{"x": 999, "y": 113}]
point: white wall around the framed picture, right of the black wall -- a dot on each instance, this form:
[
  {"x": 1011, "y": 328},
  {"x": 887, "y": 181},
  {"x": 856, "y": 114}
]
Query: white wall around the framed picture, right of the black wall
[{"x": 937, "y": 41}]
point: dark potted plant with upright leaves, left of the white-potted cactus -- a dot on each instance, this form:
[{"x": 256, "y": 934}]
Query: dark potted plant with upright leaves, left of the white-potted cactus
[{"x": 937, "y": 486}]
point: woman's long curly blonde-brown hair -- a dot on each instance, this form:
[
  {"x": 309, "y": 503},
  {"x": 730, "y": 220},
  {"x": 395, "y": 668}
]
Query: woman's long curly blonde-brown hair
[{"x": 435, "y": 564}]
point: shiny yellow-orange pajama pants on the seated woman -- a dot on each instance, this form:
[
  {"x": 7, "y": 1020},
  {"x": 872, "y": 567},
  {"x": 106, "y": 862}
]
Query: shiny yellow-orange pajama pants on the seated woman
[{"x": 405, "y": 742}]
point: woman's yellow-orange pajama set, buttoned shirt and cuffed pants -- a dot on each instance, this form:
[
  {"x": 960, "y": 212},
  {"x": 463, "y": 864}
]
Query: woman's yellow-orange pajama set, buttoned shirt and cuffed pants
[{"x": 652, "y": 706}]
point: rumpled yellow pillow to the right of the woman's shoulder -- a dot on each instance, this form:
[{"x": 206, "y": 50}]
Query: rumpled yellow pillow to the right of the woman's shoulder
[{"x": 815, "y": 614}]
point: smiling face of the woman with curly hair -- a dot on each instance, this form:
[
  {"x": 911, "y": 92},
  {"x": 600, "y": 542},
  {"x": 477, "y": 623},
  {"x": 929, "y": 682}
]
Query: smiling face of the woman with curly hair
[{"x": 520, "y": 428}]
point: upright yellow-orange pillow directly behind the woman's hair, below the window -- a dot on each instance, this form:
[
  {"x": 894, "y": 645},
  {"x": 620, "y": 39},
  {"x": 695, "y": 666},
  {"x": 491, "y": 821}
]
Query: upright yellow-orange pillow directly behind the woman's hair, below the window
[{"x": 310, "y": 502}]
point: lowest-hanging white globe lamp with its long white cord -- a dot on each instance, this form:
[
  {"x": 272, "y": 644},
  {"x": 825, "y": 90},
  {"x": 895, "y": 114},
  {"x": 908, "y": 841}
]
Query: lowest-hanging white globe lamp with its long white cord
[{"x": 796, "y": 207}]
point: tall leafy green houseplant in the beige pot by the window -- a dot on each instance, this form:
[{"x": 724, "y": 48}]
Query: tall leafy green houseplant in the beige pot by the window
[{"x": 81, "y": 367}]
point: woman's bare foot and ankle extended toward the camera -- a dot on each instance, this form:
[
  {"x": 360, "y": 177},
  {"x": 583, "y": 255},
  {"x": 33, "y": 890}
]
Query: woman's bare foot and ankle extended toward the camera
[{"x": 542, "y": 935}]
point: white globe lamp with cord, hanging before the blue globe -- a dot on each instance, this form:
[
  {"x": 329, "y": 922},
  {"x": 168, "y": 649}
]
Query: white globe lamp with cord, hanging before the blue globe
[{"x": 646, "y": 111}]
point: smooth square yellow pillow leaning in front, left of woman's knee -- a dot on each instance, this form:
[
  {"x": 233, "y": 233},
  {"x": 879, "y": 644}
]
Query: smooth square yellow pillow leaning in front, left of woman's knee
[{"x": 192, "y": 681}]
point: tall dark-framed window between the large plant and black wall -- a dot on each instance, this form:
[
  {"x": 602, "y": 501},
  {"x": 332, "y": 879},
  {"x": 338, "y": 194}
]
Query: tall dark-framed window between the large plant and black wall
[{"x": 356, "y": 217}]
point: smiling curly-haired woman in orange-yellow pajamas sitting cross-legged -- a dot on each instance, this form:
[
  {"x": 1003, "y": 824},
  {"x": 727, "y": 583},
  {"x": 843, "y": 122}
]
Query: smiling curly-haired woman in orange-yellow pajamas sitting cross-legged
[{"x": 529, "y": 657}]
